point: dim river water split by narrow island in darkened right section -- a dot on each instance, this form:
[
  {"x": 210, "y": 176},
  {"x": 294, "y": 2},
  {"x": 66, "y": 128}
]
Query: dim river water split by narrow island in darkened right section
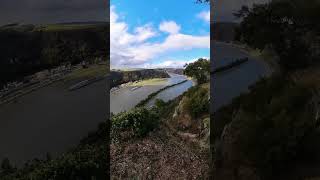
[{"x": 231, "y": 83}]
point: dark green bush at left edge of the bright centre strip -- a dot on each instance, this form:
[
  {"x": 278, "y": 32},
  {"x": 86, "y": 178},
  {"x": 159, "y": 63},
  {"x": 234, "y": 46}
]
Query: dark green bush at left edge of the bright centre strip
[{"x": 140, "y": 121}]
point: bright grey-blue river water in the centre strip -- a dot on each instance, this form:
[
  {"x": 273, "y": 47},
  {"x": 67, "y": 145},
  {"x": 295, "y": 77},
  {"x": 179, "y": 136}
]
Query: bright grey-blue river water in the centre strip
[{"x": 125, "y": 99}]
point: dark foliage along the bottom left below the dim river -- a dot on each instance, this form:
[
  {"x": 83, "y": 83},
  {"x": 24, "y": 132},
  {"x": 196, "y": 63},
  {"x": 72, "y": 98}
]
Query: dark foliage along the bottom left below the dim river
[{"x": 89, "y": 160}]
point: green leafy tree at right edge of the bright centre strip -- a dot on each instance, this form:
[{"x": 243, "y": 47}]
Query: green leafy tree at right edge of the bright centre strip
[{"x": 200, "y": 70}]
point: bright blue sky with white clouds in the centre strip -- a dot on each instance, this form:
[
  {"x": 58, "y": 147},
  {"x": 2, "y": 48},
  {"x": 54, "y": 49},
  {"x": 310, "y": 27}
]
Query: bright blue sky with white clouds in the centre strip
[{"x": 148, "y": 34}]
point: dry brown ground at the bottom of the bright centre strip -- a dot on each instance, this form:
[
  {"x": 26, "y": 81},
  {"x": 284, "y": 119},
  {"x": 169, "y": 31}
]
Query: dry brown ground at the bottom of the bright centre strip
[{"x": 160, "y": 155}]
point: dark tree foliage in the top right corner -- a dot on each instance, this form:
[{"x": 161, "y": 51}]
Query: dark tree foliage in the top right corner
[{"x": 290, "y": 27}]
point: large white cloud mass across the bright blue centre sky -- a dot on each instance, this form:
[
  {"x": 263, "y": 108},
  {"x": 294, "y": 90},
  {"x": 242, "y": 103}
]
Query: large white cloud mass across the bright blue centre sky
[{"x": 133, "y": 49}]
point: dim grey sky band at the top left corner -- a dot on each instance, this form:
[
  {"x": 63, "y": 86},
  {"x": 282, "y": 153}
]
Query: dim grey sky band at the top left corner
[{"x": 52, "y": 11}]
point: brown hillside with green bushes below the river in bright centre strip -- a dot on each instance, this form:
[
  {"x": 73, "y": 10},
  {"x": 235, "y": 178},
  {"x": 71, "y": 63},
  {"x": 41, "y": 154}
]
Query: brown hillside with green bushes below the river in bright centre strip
[{"x": 150, "y": 143}]
